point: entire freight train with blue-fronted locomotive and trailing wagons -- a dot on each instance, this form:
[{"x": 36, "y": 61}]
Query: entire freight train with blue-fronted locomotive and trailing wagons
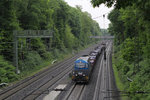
[{"x": 84, "y": 65}]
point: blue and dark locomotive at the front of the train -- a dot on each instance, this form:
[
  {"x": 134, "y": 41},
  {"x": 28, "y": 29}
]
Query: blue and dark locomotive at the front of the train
[{"x": 82, "y": 70}]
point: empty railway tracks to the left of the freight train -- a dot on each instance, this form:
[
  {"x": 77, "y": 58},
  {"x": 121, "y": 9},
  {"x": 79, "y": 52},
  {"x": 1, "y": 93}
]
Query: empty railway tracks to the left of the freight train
[{"x": 39, "y": 82}]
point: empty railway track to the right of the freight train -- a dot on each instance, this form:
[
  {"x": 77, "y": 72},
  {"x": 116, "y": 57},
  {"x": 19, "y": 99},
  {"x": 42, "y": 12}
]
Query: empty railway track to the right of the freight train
[{"x": 107, "y": 85}]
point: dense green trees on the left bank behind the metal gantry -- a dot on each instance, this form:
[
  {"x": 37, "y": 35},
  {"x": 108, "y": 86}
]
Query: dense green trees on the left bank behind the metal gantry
[{"x": 71, "y": 30}]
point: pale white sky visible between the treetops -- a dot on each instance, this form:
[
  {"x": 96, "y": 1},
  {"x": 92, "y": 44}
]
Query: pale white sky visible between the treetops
[{"x": 95, "y": 12}]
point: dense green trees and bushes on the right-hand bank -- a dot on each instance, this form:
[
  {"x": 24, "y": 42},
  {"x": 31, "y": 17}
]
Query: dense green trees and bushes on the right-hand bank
[{"x": 130, "y": 24}]
